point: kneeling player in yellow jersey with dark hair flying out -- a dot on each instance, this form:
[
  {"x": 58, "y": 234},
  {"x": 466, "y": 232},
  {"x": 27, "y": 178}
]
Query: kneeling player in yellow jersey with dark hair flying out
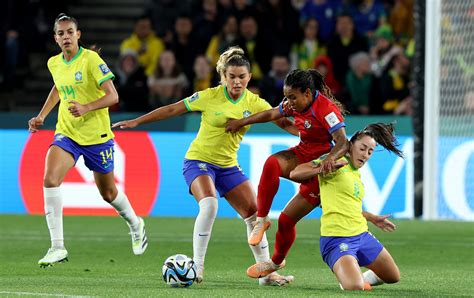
[{"x": 345, "y": 243}]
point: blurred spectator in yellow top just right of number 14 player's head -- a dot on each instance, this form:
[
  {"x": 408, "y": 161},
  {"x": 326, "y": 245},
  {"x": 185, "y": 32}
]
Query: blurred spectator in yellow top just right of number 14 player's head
[{"x": 144, "y": 41}]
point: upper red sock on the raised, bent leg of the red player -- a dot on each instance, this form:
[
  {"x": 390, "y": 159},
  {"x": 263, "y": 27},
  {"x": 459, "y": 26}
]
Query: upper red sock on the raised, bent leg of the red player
[{"x": 268, "y": 186}]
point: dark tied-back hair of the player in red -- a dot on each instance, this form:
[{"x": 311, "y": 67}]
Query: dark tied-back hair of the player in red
[{"x": 312, "y": 79}]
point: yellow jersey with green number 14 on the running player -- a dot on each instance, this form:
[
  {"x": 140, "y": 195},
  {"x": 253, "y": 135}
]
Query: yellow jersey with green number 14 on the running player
[{"x": 79, "y": 79}]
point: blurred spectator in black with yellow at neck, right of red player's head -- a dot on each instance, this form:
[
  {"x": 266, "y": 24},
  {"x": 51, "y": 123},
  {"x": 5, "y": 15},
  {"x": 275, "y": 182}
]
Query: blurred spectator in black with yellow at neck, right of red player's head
[{"x": 345, "y": 43}]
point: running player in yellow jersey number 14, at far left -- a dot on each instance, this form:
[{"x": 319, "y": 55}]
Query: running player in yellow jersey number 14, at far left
[{"x": 84, "y": 89}]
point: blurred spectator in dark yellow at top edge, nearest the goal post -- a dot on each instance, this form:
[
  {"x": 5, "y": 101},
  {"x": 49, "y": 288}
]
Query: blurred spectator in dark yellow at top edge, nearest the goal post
[{"x": 401, "y": 20}]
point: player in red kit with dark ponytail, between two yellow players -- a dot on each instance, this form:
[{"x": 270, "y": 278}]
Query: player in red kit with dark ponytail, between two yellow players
[{"x": 318, "y": 117}]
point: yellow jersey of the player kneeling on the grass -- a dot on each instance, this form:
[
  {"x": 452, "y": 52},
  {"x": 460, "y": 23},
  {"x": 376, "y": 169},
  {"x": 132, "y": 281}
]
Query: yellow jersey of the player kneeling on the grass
[{"x": 341, "y": 202}]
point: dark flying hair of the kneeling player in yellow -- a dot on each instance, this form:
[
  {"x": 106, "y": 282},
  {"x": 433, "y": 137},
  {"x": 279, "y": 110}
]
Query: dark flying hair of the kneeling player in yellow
[{"x": 383, "y": 134}]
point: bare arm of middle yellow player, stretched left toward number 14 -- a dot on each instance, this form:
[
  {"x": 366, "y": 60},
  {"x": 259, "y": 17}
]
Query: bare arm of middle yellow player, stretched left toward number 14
[{"x": 161, "y": 113}]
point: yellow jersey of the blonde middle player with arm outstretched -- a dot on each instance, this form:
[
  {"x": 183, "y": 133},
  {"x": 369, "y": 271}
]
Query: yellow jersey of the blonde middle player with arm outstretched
[{"x": 212, "y": 143}]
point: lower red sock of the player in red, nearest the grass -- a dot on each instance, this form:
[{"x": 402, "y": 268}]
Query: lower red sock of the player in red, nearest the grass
[{"x": 285, "y": 237}]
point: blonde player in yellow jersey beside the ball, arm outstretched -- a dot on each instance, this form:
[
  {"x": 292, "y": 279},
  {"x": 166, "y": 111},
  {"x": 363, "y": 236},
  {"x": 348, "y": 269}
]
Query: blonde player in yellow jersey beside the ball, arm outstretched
[{"x": 210, "y": 165}]
